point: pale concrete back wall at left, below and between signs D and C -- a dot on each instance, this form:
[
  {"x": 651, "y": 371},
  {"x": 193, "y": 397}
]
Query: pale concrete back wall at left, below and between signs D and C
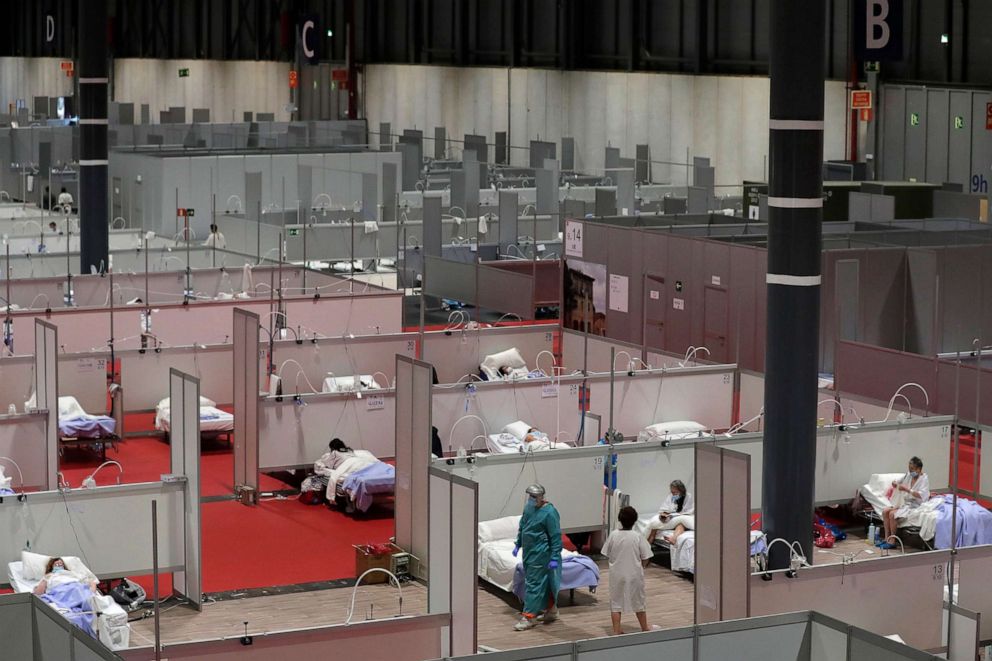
[{"x": 227, "y": 89}]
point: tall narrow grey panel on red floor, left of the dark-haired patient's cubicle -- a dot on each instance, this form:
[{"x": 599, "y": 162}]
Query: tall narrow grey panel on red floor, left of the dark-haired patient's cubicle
[{"x": 246, "y": 390}]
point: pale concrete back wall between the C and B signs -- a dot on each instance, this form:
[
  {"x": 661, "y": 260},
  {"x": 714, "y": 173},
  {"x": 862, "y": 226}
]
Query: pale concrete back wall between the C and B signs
[{"x": 723, "y": 117}]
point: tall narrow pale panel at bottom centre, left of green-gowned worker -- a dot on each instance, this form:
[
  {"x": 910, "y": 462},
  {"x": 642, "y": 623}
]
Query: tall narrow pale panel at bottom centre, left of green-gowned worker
[{"x": 453, "y": 542}]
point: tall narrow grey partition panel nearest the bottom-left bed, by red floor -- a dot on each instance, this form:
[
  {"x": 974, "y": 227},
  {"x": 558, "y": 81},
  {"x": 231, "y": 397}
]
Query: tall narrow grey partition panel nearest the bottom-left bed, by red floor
[{"x": 184, "y": 441}]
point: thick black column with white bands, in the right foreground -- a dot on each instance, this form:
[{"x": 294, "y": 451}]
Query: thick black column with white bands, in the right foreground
[{"x": 795, "y": 212}]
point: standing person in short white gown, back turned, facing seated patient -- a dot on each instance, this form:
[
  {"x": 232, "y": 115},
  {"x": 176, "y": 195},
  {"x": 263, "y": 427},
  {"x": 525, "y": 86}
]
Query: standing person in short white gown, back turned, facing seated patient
[{"x": 628, "y": 553}]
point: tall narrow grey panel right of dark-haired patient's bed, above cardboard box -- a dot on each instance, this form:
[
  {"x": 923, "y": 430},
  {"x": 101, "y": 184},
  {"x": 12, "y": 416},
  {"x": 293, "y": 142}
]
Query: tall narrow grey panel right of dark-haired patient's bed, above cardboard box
[{"x": 414, "y": 381}]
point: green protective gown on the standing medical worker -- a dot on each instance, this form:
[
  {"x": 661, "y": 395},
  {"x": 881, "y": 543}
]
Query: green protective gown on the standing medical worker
[{"x": 539, "y": 536}]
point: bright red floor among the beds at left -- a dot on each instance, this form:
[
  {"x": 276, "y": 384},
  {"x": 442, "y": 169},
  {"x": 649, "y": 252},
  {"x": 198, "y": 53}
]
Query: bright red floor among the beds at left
[{"x": 278, "y": 542}]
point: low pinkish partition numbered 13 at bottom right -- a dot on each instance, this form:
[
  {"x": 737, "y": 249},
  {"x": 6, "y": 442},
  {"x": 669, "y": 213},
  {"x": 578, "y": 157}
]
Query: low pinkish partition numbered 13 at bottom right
[{"x": 867, "y": 593}]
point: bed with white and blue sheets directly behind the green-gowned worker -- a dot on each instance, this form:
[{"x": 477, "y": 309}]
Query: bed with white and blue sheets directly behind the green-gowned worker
[{"x": 498, "y": 567}]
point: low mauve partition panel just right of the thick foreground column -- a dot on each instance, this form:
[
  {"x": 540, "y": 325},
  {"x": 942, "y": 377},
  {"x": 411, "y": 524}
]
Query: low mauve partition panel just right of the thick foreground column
[{"x": 876, "y": 373}]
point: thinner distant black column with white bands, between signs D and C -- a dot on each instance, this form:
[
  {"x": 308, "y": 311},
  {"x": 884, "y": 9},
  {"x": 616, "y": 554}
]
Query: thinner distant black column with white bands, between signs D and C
[{"x": 93, "y": 77}]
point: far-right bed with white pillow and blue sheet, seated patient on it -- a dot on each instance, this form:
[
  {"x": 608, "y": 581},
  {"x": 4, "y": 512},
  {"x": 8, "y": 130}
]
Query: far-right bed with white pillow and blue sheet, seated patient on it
[{"x": 931, "y": 521}]
